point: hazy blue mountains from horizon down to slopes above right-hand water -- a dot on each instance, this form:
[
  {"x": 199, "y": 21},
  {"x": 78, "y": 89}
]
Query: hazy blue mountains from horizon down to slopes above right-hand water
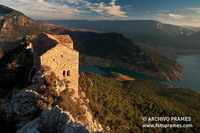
[{"x": 145, "y": 32}]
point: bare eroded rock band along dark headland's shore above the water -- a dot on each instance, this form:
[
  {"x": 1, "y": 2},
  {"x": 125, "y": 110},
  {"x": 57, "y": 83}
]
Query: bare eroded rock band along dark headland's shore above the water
[{"x": 173, "y": 75}]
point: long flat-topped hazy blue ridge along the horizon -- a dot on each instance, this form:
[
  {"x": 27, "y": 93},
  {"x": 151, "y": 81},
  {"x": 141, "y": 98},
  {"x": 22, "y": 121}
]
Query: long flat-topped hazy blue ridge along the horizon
[{"x": 133, "y": 27}]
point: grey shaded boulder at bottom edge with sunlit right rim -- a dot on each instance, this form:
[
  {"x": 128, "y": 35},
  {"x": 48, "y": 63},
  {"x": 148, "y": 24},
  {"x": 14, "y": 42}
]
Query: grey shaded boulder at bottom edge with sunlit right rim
[{"x": 55, "y": 120}]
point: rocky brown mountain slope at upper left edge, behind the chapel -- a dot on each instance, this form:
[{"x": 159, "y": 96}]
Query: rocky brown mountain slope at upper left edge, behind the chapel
[{"x": 14, "y": 25}]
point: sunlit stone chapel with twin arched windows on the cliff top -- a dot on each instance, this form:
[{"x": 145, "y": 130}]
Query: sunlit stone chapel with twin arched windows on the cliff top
[{"x": 57, "y": 53}]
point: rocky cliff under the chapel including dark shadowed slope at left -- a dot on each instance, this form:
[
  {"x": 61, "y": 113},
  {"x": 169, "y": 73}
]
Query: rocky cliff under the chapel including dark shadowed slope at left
[{"x": 47, "y": 103}]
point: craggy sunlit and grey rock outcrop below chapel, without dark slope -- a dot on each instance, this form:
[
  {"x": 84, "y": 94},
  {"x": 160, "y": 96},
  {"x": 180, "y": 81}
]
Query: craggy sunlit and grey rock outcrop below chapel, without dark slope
[{"x": 25, "y": 106}]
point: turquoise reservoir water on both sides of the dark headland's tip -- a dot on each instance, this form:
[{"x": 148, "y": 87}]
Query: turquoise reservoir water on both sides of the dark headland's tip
[{"x": 191, "y": 72}]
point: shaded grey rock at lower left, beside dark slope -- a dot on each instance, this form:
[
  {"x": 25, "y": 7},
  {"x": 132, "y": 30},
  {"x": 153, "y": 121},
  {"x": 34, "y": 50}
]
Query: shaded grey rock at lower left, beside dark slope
[{"x": 23, "y": 104}]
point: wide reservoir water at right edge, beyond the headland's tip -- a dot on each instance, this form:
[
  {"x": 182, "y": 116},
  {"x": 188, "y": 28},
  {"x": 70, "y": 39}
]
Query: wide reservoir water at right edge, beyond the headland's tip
[{"x": 191, "y": 72}]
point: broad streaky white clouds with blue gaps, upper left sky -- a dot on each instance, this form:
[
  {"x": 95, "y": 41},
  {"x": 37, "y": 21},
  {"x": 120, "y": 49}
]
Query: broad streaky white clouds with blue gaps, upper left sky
[{"x": 41, "y": 9}]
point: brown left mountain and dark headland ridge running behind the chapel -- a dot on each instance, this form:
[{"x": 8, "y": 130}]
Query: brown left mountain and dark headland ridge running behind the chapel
[{"x": 101, "y": 49}]
